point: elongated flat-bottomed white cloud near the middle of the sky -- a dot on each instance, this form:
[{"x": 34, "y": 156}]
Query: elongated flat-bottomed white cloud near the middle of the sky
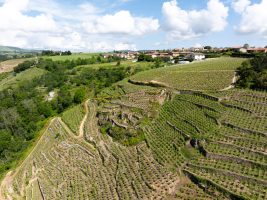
[{"x": 121, "y": 22}]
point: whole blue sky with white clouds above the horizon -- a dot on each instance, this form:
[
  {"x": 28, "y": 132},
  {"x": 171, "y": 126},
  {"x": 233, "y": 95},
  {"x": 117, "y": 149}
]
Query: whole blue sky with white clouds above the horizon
[{"x": 105, "y": 25}]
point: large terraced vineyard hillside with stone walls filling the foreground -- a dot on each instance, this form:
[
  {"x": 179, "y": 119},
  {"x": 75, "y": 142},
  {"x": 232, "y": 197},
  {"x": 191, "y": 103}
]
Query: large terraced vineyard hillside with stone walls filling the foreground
[{"x": 144, "y": 142}]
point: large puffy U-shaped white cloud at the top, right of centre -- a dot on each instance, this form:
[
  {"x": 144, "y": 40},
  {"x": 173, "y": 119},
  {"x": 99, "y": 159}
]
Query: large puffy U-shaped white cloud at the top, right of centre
[{"x": 183, "y": 24}]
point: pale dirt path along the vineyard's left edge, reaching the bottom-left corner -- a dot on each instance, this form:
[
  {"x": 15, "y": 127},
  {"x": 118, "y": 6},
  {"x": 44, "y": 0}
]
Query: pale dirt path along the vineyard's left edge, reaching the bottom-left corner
[{"x": 7, "y": 181}]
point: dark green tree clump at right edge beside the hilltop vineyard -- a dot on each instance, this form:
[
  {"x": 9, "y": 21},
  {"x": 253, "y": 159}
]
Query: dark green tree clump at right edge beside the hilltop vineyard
[{"x": 253, "y": 74}]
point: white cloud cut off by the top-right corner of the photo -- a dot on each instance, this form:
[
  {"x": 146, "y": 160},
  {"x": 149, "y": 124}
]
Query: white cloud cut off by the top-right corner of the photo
[{"x": 253, "y": 19}]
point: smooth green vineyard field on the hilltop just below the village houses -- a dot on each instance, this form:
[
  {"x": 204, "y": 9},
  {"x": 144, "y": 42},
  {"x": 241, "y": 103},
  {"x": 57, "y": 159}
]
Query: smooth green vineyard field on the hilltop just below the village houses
[{"x": 214, "y": 74}]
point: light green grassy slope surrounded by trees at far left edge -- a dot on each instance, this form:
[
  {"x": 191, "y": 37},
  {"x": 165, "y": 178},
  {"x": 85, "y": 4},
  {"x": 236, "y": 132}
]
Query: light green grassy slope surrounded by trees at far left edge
[{"x": 13, "y": 81}]
